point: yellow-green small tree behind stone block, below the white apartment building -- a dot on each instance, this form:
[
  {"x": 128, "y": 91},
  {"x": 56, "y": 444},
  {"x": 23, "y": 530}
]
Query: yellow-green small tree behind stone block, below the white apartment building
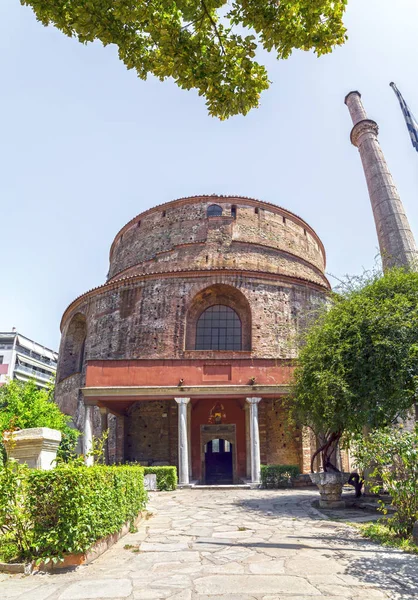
[{"x": 23, "y": 405}]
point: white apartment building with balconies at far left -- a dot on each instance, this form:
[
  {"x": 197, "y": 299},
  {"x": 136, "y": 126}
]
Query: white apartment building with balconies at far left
[{"x": 24, "y": 359}]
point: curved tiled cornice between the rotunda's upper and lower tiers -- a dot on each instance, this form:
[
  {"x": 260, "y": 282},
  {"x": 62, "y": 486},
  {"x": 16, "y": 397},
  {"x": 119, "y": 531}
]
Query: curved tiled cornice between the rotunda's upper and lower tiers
[{"x": 184, "y": 273}]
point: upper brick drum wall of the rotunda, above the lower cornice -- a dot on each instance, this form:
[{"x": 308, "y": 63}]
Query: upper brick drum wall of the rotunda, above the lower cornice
[{"x": 183, "y": 236}]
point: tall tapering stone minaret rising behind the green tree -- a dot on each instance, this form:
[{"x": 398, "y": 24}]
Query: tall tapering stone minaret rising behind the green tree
[{"x": 396, "y": 240}]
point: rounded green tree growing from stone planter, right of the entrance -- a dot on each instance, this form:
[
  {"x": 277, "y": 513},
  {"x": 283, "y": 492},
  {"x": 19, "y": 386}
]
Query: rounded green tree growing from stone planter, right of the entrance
[{"x": 358, "y": 366}]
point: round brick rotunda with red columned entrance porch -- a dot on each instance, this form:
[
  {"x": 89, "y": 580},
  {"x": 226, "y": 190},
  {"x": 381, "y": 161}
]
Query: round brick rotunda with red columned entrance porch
[{"x": 186, "y": 352}]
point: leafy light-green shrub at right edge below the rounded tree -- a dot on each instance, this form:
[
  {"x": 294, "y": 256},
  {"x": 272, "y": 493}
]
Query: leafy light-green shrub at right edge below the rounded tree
[{"x": 391, "y": 456}]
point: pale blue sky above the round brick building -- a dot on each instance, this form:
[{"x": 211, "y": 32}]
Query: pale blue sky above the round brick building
[{"x": 85, "y": 146}]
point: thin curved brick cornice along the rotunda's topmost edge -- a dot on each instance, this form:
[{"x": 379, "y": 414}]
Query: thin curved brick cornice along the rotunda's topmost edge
[{"x": 230, "y": 199}]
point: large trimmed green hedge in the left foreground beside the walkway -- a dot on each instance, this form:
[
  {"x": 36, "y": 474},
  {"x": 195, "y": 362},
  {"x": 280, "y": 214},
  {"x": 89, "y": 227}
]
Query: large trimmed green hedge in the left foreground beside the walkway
[{"x": 69, "y": 508}]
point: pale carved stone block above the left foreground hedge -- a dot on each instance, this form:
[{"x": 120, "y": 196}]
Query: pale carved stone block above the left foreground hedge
[{"x": 37, "y": 446}]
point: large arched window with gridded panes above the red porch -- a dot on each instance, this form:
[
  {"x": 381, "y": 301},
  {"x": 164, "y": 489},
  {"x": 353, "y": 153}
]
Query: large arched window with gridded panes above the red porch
[{"x": 219, "y": 328}]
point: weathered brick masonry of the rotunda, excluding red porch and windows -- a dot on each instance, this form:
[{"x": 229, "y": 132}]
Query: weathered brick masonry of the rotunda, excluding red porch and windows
[{"x": 165, "y": 266}]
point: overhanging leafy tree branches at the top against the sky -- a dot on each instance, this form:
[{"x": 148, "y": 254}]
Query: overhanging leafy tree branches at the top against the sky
[{"x": 209, "y": 45}]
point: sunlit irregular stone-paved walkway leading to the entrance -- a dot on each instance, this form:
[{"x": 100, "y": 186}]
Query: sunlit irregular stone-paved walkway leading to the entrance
[{"x": 233, "y": 545}]
